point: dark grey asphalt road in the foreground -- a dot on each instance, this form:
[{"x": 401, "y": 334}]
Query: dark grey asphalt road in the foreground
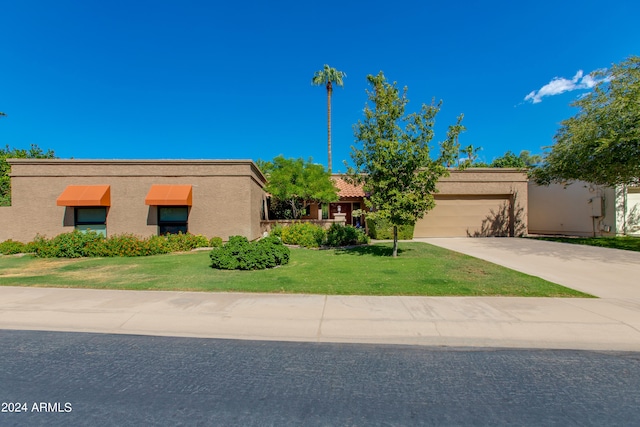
[{"x": 103, "y": 379}]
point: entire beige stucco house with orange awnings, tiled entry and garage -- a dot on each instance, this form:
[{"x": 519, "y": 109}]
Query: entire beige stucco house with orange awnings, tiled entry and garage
[{"x": 225, "y": 198}]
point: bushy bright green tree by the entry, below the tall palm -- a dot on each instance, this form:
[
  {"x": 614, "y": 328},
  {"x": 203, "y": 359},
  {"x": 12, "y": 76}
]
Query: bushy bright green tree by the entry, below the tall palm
[{"x": 294, "y": 183}]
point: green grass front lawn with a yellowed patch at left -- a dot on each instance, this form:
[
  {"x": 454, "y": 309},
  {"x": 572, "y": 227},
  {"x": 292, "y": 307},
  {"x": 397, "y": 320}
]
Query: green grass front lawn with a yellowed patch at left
[{"x": 420, "y": 269}]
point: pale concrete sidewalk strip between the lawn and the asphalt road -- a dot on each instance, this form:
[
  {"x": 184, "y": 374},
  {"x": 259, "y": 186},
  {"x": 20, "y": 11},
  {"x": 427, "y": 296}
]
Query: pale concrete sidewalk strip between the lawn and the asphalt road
[{"x": 558, "y": 323}]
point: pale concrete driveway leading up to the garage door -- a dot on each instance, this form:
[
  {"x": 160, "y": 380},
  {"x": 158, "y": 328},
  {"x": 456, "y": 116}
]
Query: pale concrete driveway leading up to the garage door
[{"x": 605, "y": 273}]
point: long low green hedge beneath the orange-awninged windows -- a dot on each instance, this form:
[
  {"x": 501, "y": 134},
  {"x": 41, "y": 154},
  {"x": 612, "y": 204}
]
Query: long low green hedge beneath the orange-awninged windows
[{"x": 77, "y": 244}]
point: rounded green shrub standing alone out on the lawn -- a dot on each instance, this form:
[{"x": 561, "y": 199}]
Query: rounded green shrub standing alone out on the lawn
[{"x": 240, "y": 254}]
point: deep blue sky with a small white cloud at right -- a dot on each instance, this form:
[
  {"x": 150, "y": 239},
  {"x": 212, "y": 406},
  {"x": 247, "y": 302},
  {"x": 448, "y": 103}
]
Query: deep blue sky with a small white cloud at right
[{"x": 231, "y": 80}]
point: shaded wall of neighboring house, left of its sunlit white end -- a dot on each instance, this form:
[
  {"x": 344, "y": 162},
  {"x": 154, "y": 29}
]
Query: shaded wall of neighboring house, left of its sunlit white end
[{"x": 576, "y": 209}]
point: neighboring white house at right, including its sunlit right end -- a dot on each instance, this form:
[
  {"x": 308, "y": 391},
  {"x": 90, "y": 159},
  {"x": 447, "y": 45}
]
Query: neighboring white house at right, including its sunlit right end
[{"x": 584, "y": 209}]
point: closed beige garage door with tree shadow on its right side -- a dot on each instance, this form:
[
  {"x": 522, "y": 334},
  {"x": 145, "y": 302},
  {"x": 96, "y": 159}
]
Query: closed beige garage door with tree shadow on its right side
[{"x": 456, "y": 216}]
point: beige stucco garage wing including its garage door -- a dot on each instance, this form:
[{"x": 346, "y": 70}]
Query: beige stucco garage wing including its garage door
[{"x": 478, "y": 202}]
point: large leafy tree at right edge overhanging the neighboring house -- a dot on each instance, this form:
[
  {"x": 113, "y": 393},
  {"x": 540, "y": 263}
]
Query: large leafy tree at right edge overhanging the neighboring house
[{"x": 601, "y": 143}]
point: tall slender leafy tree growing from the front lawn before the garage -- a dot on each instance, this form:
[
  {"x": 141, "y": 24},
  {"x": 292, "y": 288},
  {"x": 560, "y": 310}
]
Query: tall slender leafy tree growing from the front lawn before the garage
[{"x": 394, "y": 163}]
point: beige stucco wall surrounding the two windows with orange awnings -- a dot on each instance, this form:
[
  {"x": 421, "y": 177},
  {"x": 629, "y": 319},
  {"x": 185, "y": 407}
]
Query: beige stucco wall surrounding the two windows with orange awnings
[{"x": 227, "y": 195}]
